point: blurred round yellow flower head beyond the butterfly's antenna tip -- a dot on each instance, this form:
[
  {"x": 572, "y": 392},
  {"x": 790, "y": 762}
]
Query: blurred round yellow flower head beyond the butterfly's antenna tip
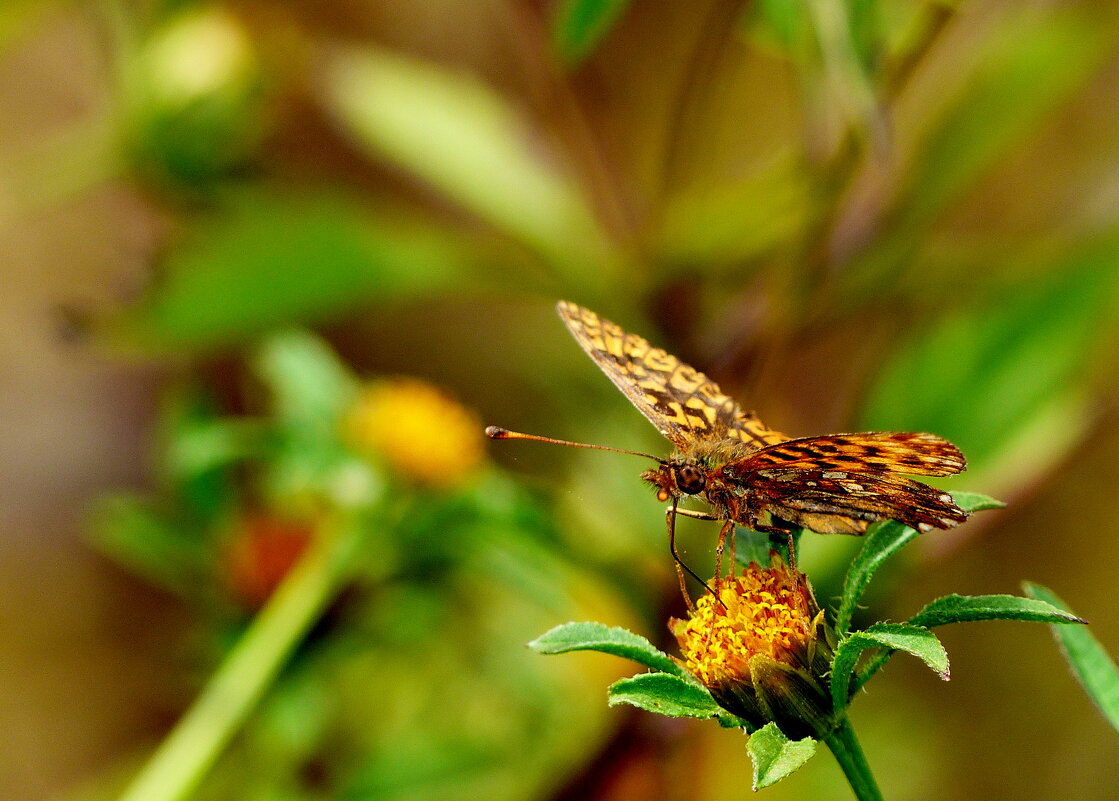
[{"x": 418, "y": 430}]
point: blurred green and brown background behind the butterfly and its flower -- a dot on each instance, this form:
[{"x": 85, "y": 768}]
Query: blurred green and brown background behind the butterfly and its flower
[{"x": 268, "y": 270}]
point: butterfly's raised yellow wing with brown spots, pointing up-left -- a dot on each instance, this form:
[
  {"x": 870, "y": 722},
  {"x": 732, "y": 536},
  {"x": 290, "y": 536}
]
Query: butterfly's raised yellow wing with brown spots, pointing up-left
[{"x": 684, "y": 404}]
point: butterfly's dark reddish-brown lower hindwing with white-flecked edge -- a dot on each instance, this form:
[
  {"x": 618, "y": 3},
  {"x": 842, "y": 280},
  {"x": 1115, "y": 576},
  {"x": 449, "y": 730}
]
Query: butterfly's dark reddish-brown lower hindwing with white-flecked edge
[{"x": 848, "y": 503}]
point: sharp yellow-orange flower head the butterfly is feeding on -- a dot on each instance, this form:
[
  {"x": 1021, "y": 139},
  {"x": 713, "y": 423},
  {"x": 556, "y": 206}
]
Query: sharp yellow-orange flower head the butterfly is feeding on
[{"x": 764, "y": 649}]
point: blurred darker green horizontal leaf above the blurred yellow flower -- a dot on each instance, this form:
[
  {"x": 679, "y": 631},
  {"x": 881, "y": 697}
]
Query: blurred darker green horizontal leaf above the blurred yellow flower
[{"x": 277, "y": 261}]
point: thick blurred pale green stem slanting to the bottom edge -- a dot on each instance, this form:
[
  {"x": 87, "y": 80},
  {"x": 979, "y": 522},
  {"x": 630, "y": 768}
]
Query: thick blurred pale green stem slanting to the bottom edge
[{"x": 191, "y": 750}]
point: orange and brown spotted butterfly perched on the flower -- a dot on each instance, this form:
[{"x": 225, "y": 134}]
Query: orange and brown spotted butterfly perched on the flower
[{"x": 754, "y": 476}]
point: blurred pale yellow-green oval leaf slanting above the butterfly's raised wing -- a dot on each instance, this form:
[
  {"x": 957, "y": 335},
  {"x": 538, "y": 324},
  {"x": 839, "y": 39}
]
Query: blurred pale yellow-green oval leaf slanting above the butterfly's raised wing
[{"x": 463, "y": 138}]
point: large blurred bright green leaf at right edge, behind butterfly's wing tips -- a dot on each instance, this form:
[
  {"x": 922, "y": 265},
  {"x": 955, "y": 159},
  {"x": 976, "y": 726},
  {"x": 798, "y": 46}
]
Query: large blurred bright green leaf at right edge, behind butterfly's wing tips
[{"x": 988, "y": 375}]
